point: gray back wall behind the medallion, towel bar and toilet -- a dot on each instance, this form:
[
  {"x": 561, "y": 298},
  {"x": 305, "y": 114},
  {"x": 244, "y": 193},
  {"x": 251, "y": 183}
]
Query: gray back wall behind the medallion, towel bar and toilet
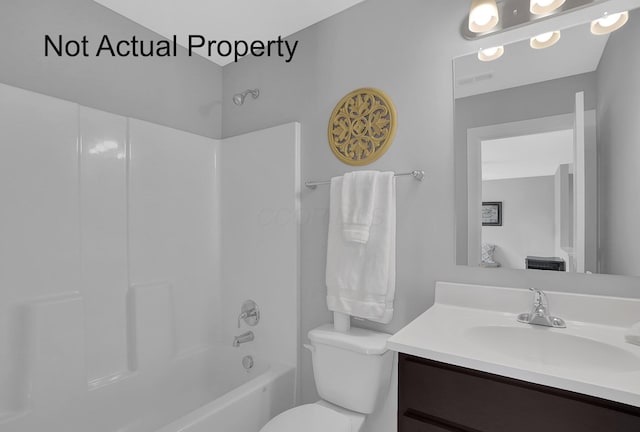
[{"x": 389, "y": 45}]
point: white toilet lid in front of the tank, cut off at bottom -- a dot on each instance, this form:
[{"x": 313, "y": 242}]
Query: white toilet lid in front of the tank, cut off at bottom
[{"x": 309, "y": 418}]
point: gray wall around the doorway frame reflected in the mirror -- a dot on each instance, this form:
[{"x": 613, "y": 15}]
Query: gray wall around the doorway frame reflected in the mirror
[{"x": 548, "y": 98}]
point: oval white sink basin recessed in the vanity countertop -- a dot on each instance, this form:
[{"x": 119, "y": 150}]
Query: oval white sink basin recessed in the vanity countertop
[{"x": 552, "y": 347}]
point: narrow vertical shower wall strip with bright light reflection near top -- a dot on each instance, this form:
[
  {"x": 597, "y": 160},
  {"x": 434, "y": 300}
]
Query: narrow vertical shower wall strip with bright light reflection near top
[{"x": 103, "y": 216}]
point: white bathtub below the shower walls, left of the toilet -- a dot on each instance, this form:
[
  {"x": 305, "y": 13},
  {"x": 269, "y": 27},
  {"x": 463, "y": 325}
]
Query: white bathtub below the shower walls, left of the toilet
[{"x": 207, "y": 391}]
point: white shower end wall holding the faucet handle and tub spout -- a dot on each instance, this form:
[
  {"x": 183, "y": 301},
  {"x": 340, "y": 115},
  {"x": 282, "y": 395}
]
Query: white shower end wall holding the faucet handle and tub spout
[{"x": 261, "y": 220}]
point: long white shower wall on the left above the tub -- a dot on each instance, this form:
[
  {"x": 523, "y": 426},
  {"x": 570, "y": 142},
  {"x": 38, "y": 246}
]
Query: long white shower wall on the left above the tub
[{"x": 109, "y": 251}]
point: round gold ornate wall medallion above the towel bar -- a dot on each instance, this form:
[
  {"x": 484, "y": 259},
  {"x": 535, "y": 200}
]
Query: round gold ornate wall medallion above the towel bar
[{"x": 362, "y": 126}]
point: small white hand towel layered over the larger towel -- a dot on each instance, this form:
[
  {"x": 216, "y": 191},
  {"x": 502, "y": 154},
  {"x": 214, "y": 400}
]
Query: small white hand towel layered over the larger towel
[{"x": 358, "y": 201}]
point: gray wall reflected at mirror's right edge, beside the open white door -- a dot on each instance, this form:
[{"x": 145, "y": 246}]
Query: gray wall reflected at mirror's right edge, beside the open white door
[{"x": 619, "y": 150}]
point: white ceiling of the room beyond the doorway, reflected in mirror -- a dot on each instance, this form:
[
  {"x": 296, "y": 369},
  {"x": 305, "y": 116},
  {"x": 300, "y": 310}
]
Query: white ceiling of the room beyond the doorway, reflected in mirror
[{"x": 526, "y": 156}]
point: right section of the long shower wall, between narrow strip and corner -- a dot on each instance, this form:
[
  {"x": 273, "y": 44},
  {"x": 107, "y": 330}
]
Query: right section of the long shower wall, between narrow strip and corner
[{"x": 174, "y": 226}]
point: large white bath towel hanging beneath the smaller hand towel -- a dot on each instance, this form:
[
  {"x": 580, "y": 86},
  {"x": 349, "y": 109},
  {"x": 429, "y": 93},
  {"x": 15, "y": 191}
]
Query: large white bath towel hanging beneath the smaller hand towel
[{"x": 361, "y": 278}]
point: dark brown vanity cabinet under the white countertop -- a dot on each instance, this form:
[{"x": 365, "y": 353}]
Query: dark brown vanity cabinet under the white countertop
[{"x": 437, "y": 397}]
